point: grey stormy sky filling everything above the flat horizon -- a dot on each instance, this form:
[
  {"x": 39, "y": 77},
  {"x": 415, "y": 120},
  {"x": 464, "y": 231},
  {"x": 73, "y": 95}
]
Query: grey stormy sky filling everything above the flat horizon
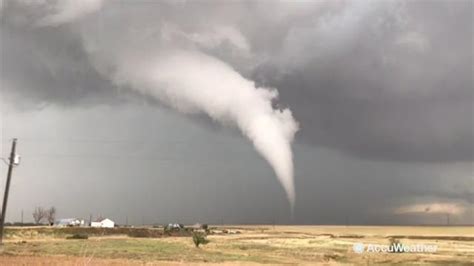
[{"x": 382, "y": 93}]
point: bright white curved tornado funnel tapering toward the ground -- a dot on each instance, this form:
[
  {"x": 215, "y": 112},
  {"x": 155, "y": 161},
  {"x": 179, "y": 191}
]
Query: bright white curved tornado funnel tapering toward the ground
[{"x": 193, "y": 82}]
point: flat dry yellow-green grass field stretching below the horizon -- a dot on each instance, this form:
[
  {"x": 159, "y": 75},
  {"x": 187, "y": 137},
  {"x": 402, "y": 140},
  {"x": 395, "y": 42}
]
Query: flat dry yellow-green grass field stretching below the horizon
[{"x": 241, "y": 245}]
